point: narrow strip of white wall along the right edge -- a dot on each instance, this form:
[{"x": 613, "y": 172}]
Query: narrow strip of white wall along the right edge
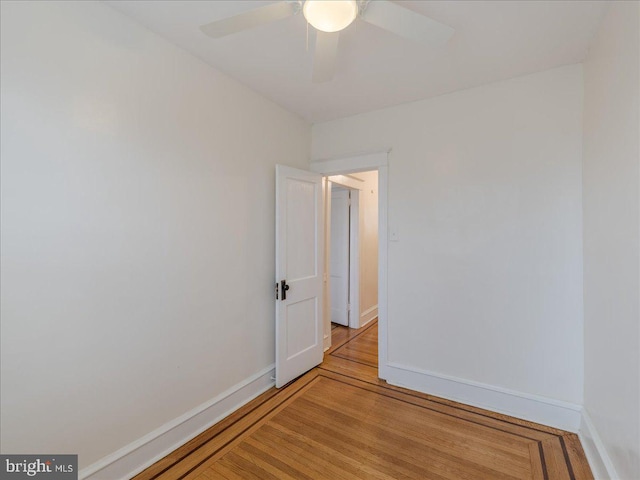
[{"x": 611, "y": 241}]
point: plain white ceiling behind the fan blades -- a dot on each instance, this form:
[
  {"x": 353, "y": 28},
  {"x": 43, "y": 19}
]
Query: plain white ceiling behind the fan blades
[{"x": 494, "y": 40}]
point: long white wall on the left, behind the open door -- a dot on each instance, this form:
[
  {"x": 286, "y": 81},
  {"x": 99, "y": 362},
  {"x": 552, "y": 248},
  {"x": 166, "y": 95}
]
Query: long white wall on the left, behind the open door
[{"x": 137, "y": 229}]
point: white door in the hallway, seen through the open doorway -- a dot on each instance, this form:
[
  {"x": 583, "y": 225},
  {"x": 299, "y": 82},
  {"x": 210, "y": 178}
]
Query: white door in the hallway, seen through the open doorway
[{"x": 339, "y": 258}]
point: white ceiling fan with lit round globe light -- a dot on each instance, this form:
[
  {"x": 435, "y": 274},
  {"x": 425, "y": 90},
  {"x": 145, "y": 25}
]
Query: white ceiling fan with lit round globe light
[{"x": 329, "y": 17}]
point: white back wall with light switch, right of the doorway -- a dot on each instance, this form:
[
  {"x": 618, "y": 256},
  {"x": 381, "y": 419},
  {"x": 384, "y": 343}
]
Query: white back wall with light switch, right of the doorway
[{"x": 485, "y": 281}]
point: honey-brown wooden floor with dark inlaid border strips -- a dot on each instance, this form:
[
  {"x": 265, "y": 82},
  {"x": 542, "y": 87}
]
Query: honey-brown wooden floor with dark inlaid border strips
[{"x": 340, "y": 422}]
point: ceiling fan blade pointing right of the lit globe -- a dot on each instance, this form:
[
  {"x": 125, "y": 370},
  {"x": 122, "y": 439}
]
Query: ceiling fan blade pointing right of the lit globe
[{"x": 406, "y": 23}]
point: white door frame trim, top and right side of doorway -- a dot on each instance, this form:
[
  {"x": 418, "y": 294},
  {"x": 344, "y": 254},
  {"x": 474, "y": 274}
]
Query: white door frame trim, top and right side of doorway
[{"x": 361, "y": 163}]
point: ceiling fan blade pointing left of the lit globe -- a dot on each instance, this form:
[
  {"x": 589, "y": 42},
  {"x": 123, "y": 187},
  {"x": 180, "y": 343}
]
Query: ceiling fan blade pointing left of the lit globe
[{"x": 252, "y": 18}]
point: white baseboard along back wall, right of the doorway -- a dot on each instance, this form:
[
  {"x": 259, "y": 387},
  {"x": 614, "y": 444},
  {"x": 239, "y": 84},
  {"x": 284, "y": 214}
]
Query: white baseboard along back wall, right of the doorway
[{"x": 547, "y": 411}]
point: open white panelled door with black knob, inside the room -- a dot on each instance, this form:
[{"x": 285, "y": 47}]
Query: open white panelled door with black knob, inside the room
[{"x": 299, "y": 250}]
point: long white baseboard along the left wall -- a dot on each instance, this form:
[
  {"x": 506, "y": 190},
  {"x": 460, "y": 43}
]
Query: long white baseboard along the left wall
[{"x": 140, "y": 454}]
